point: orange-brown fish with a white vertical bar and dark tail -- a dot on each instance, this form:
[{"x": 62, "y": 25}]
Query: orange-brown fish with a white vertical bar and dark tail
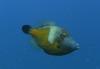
[{"x": 52, "y": 39}]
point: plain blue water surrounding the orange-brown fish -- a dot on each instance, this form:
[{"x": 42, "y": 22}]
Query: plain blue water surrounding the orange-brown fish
[{"x": 80, "y": 17}]
